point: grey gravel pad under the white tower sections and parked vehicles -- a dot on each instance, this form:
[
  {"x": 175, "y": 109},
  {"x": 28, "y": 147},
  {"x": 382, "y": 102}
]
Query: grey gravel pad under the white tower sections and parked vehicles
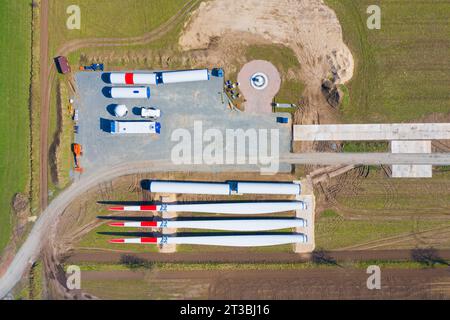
[{"x": 181, "y": 105}]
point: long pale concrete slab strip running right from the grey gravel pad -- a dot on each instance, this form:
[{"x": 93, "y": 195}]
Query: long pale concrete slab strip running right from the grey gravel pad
[{"x": 367, "y": 132}]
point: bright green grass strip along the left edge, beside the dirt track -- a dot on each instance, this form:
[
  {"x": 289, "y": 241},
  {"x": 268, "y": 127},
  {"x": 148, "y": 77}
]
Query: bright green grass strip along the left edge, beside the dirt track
[{"x": 14, "y": 114}]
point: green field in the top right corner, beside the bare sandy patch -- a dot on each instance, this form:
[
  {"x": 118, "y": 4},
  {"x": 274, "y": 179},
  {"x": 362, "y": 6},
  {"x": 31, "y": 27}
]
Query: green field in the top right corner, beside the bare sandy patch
[{"x": 402, "y": 71}]
